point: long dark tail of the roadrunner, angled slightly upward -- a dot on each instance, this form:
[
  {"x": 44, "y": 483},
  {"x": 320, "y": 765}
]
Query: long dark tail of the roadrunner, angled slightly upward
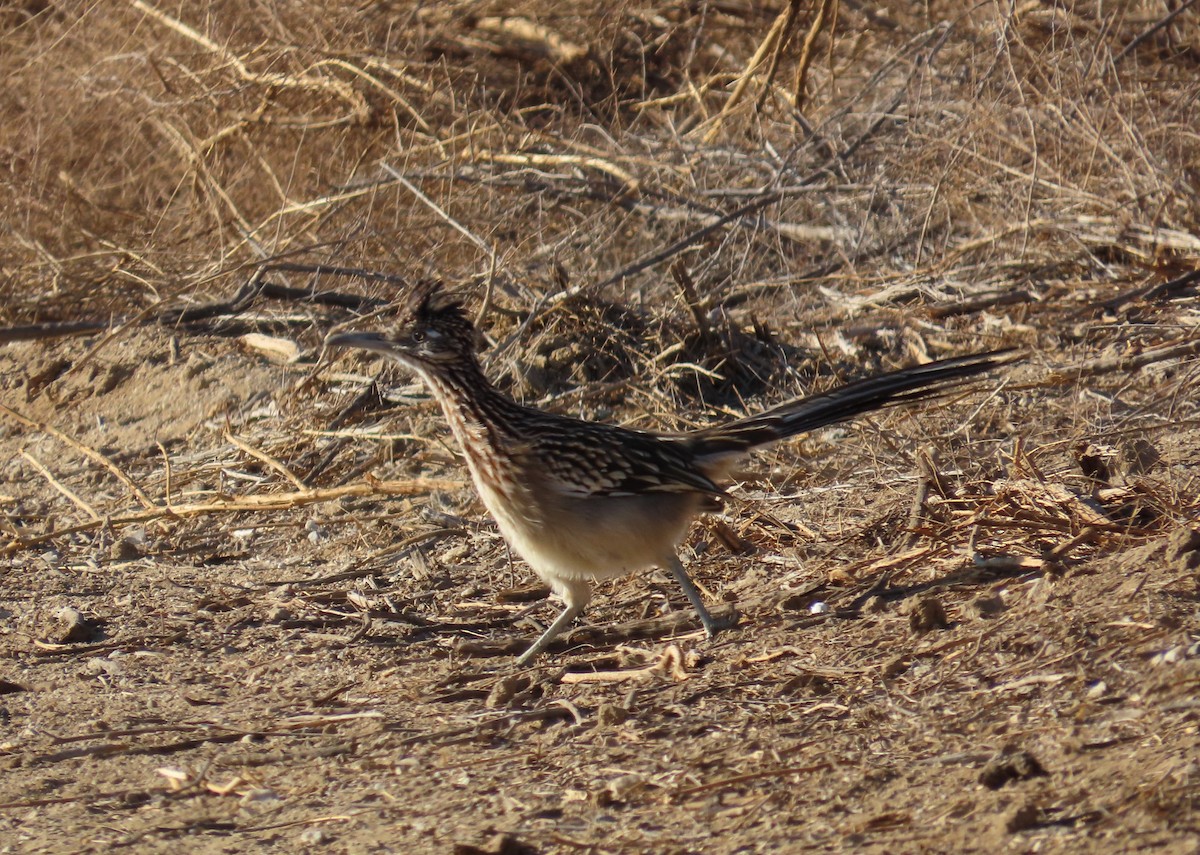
[{"x": 806, "y": 415}]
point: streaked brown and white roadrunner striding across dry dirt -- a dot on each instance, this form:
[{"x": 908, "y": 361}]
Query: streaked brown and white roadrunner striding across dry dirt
[{"x": 583, "y": 501}]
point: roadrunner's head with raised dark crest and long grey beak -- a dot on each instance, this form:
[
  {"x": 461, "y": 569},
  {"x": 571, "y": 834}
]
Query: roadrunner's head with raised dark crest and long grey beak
[{"x": 434, "y": 333}]
